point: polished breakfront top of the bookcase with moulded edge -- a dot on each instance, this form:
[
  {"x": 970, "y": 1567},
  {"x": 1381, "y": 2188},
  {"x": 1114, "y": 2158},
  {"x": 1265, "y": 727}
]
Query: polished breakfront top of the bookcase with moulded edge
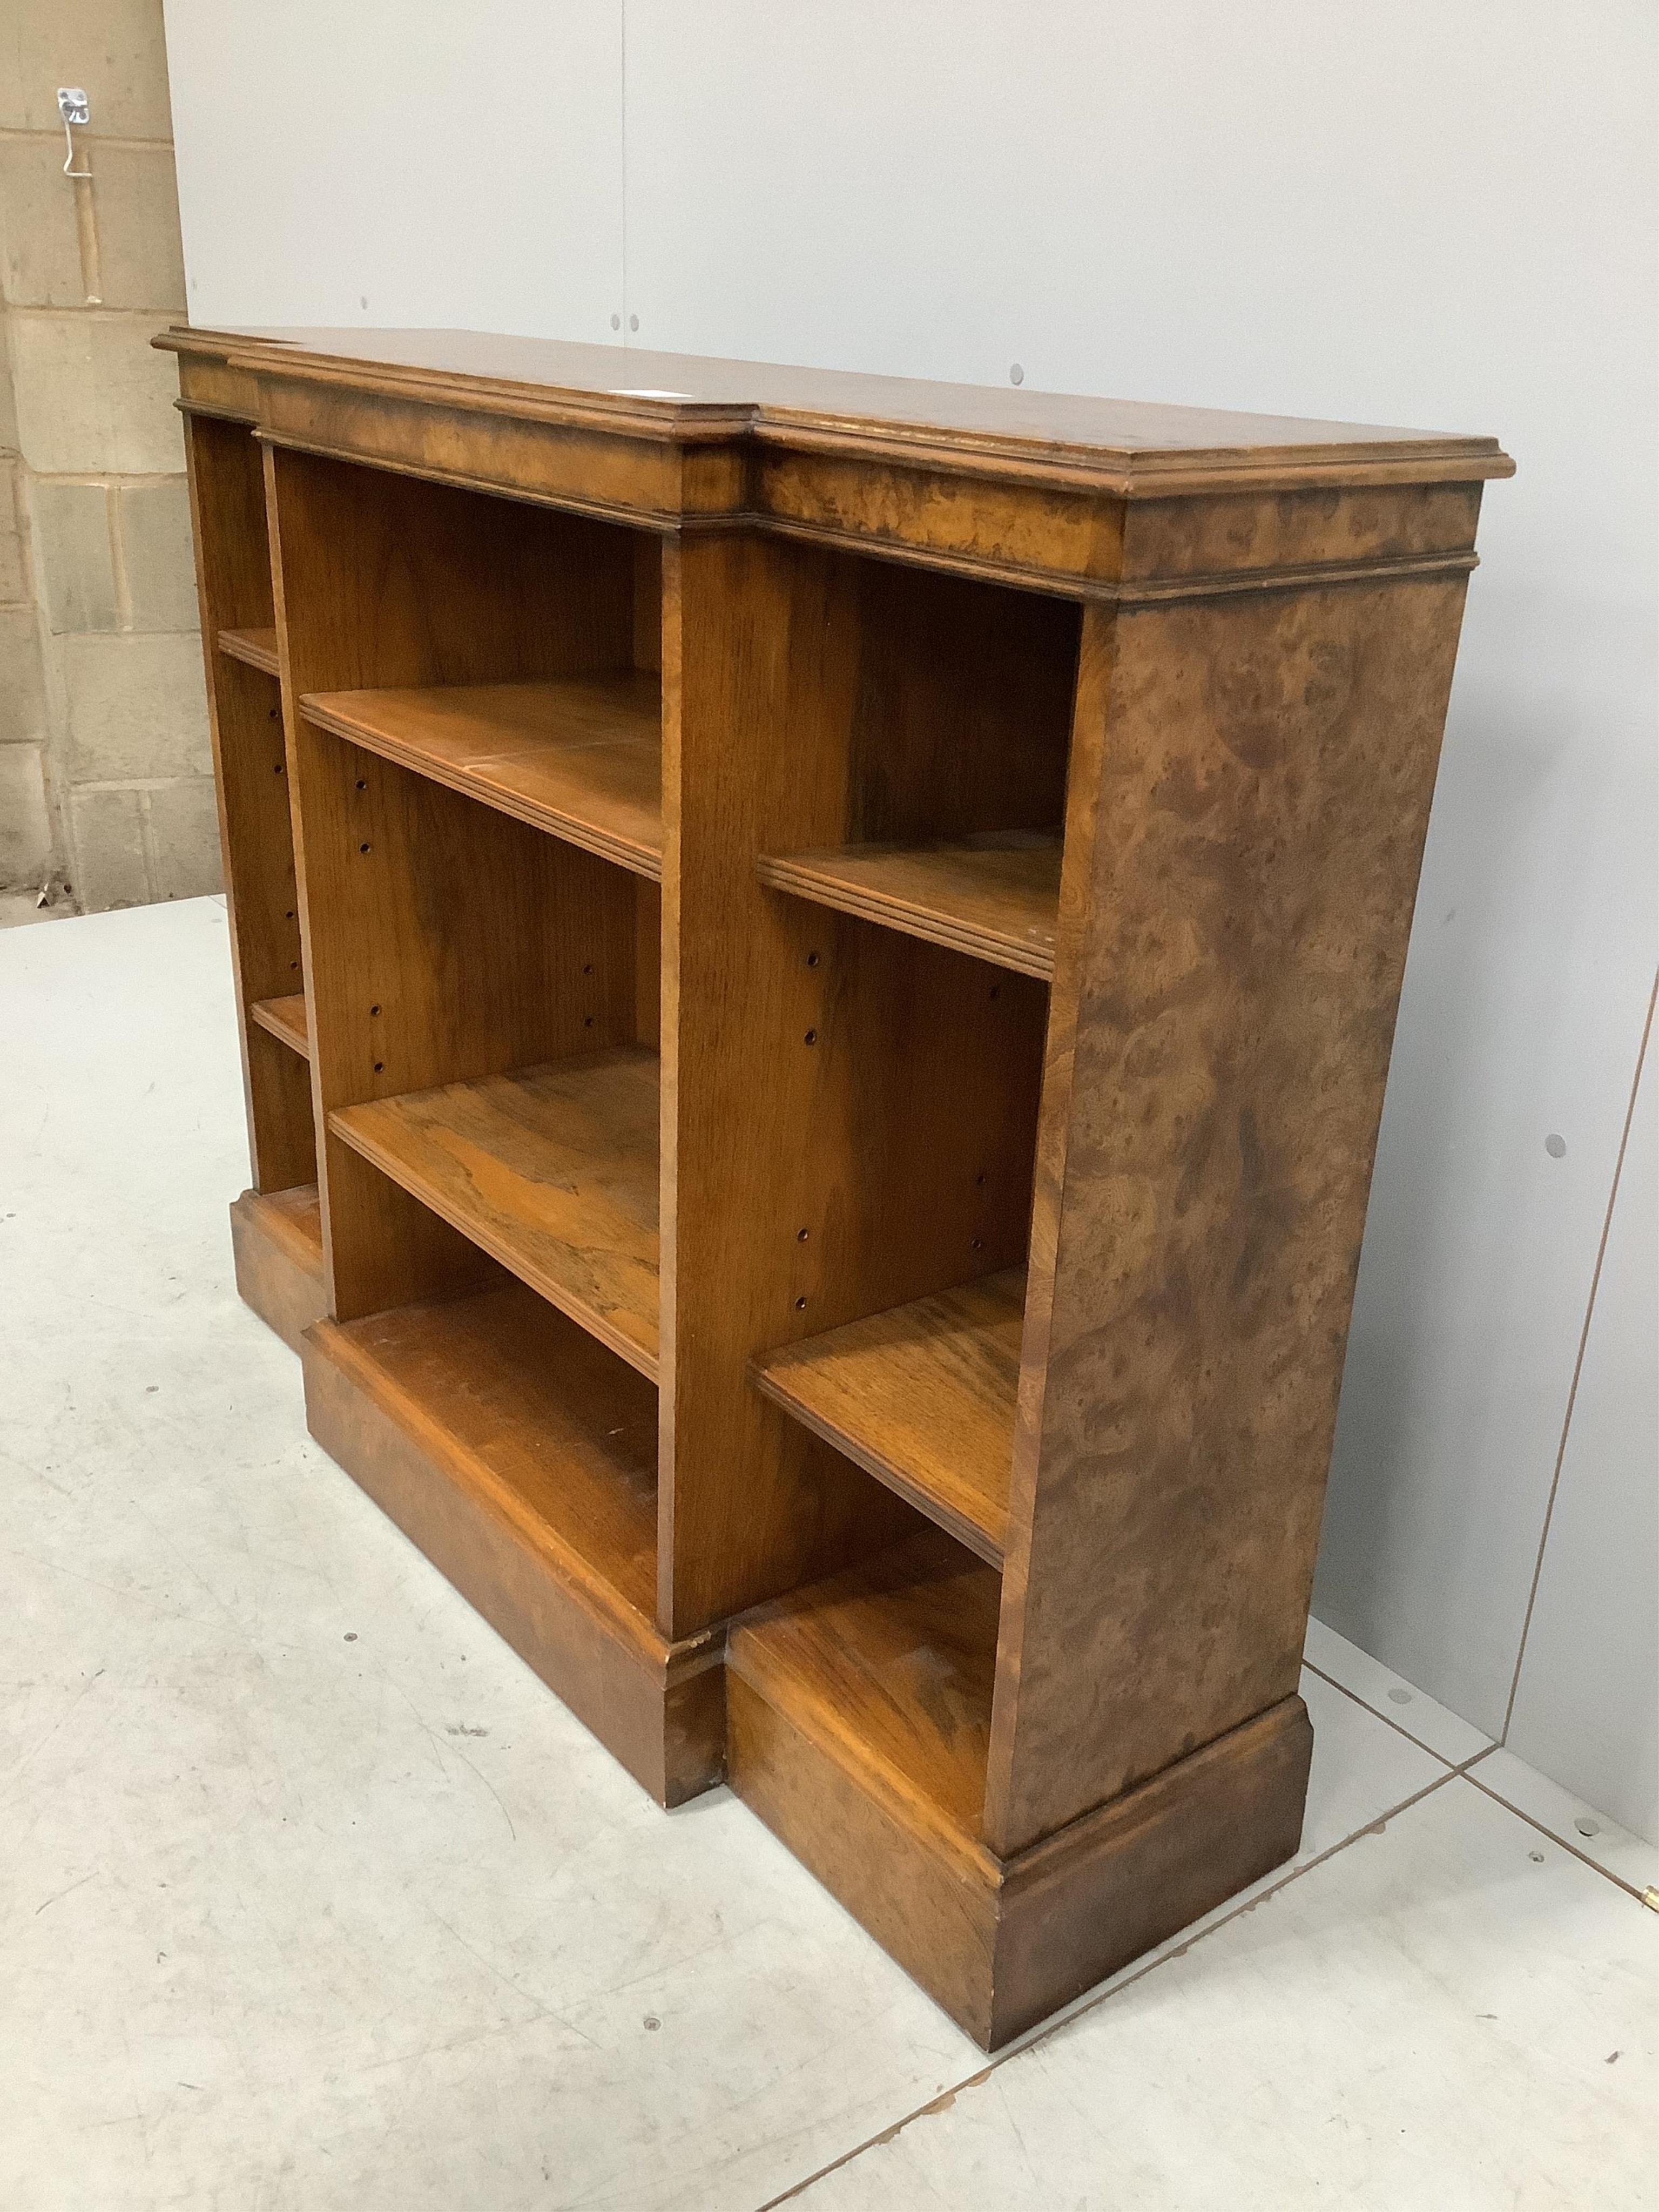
[{"x": 693, "y": 397}]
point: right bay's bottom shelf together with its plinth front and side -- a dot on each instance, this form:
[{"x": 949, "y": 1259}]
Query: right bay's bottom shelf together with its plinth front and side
[{"x": 859, "y": 1722}]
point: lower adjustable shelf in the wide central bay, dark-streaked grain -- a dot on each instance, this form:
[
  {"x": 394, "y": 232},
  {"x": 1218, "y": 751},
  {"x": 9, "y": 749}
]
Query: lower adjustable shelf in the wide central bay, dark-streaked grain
[{"x": 552, "y": 1171}]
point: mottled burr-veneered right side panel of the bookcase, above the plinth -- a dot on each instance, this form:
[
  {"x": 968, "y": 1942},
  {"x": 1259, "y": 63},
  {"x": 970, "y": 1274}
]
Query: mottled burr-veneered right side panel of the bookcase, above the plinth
[{"x": 1251, "y": 795}]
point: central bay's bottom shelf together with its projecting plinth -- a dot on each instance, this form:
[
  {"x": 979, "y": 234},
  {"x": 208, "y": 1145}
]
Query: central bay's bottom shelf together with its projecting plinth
[{"x": 521, "y": 1457}]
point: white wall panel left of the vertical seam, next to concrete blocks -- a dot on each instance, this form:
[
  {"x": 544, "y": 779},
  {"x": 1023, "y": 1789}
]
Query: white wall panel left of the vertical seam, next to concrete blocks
[{"x": 401, "y": 163}]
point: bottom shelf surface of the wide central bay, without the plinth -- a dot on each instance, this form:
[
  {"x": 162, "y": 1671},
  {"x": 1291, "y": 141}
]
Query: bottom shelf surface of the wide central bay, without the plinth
[{"x": 536, "y": 1415}]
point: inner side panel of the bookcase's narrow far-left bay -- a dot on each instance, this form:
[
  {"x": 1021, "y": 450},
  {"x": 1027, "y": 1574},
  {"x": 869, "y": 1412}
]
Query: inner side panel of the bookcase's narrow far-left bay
[{"x": 251, "y": 775}]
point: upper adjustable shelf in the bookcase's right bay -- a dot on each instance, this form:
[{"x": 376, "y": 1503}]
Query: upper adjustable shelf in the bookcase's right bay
[{"x": 994, "y": 897}]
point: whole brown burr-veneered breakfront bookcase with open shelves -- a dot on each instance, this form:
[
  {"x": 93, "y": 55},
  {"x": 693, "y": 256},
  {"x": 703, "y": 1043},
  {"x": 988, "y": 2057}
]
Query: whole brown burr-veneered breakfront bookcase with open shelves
[{"x": 817, "y": 966}]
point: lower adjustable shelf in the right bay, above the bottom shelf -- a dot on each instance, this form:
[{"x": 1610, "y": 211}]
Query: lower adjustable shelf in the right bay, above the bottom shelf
[{"x": 924, "y": 1399}]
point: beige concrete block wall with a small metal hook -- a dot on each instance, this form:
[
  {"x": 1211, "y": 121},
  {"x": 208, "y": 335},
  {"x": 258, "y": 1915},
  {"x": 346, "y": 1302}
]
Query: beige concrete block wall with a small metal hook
[{"x": 105, "y": 760}]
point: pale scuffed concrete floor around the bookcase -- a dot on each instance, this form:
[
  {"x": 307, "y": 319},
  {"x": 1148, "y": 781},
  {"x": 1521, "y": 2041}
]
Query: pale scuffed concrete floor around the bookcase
[{"x": 315, "y": 1899}]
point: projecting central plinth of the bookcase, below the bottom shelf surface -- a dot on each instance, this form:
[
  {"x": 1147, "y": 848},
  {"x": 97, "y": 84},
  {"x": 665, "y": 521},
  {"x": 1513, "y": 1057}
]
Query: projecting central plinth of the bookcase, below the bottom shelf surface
[{"x": 658, "y": 1709}]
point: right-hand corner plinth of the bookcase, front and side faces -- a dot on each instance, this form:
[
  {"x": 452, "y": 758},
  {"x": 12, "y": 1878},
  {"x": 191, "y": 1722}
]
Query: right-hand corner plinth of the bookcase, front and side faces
[{"x": 1005, "y": 1943}]
